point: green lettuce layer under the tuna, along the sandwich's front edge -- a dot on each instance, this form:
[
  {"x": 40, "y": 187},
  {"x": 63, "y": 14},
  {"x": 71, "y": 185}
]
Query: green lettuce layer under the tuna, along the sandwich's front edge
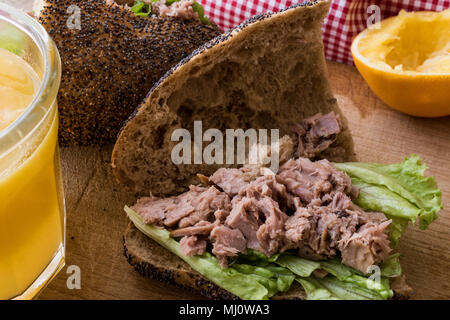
[{"x": 253, "y": 276}]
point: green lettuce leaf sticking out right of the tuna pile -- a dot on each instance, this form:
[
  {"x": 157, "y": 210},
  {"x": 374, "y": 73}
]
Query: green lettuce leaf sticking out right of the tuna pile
[{"x": 399, "y": 190}]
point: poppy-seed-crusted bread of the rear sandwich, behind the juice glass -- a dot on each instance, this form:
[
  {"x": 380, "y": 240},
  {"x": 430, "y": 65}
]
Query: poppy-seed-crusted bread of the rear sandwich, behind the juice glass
[{"x": 111, "y": 61}]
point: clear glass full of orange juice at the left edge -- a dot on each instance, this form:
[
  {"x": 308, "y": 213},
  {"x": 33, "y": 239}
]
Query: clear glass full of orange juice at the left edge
[{"x": 32, "y": 213}]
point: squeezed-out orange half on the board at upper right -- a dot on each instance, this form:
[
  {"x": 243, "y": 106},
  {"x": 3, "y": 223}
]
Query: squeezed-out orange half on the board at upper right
[{"x": 406, "y": 62}]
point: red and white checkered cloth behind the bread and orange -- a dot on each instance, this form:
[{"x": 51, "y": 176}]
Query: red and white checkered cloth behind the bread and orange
[{"x": 345, "y": 20}]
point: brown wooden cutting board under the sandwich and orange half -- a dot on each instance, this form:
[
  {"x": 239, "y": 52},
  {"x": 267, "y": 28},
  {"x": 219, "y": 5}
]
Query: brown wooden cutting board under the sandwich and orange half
[{"x": 95, "y": 217}]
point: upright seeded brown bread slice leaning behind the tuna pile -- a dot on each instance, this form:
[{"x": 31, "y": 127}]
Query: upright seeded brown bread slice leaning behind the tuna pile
[{"x": 269, "y": 72}]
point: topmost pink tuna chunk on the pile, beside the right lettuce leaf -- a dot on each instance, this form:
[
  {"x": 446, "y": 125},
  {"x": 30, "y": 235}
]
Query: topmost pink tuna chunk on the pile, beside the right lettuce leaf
[{"x": 315, "y": 183}]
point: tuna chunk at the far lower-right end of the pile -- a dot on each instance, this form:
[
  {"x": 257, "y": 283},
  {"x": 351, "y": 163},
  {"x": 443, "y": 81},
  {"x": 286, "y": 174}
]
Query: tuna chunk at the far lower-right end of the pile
[{"x": 369, "y": 246}]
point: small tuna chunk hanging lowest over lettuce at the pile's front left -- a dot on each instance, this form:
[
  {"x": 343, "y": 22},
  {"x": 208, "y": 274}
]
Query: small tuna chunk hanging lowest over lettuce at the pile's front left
[{"x": 227, "y": 243}]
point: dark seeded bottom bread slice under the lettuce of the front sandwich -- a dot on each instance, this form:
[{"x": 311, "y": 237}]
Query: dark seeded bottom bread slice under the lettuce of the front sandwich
[{"x": 153, "y": 261}]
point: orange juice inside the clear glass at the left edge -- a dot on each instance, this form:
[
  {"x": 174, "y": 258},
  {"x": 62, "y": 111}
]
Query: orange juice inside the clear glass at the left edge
[{"x": 31, "y": 213}]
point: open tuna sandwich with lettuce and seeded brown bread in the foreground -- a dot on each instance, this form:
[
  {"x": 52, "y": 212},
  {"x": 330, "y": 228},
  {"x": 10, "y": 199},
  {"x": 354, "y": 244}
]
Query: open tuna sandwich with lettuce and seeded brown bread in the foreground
[{"x": 322, "y": 226}]
